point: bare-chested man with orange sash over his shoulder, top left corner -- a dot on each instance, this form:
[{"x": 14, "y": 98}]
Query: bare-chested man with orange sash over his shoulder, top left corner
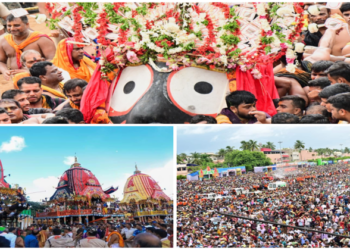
[{"x": 20, "y": 39}]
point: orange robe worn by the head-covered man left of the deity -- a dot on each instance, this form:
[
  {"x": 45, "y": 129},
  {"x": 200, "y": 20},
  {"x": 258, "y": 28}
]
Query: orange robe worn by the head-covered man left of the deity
[{"x": 62, "y": 61}]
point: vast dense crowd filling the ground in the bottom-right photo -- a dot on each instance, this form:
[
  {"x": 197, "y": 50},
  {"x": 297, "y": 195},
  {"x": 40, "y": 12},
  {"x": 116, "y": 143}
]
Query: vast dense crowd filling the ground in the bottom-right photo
[{"x": 314, "y": 198}]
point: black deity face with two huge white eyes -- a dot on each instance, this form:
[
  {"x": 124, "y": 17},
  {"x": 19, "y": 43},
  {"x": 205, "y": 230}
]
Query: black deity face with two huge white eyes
[{"x": 140, "y": 94}]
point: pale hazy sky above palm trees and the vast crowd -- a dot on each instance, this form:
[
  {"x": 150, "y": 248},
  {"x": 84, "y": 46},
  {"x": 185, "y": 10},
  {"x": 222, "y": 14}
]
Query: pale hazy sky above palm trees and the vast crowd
[{"x": 209, "y": 139}]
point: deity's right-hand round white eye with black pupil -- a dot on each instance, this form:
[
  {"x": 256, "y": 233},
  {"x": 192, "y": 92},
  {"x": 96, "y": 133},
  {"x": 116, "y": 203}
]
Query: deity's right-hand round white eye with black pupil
[{"x": 198, "y": 91}]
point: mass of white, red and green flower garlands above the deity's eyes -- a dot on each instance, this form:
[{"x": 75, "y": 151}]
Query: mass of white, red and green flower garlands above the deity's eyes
[{"x": 206, "y": 35}]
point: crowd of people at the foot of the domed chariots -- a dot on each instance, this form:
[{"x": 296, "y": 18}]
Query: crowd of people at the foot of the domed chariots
[{"x": 114, "y": 234}]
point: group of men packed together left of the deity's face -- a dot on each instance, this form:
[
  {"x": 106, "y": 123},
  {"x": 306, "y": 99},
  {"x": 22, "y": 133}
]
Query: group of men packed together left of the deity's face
[{"x": 48, "y": 80}]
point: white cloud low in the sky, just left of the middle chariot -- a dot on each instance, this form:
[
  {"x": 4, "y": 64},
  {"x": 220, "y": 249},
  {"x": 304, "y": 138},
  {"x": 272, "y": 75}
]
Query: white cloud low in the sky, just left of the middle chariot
[{"x": 42, "y": 188}]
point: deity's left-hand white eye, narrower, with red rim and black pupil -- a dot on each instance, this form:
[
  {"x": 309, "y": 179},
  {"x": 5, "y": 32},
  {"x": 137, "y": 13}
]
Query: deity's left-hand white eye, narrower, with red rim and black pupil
[{"x": 133, "y": 83}]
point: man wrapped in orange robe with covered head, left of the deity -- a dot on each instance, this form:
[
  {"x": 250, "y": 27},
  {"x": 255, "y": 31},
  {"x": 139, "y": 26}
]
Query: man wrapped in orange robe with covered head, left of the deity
[{"x": 70, "y": 57}]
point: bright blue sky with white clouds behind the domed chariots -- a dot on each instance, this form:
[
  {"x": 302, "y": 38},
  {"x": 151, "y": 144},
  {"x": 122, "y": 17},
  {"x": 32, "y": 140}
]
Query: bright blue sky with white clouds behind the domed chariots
[{"x": 36, "y": 156}]
